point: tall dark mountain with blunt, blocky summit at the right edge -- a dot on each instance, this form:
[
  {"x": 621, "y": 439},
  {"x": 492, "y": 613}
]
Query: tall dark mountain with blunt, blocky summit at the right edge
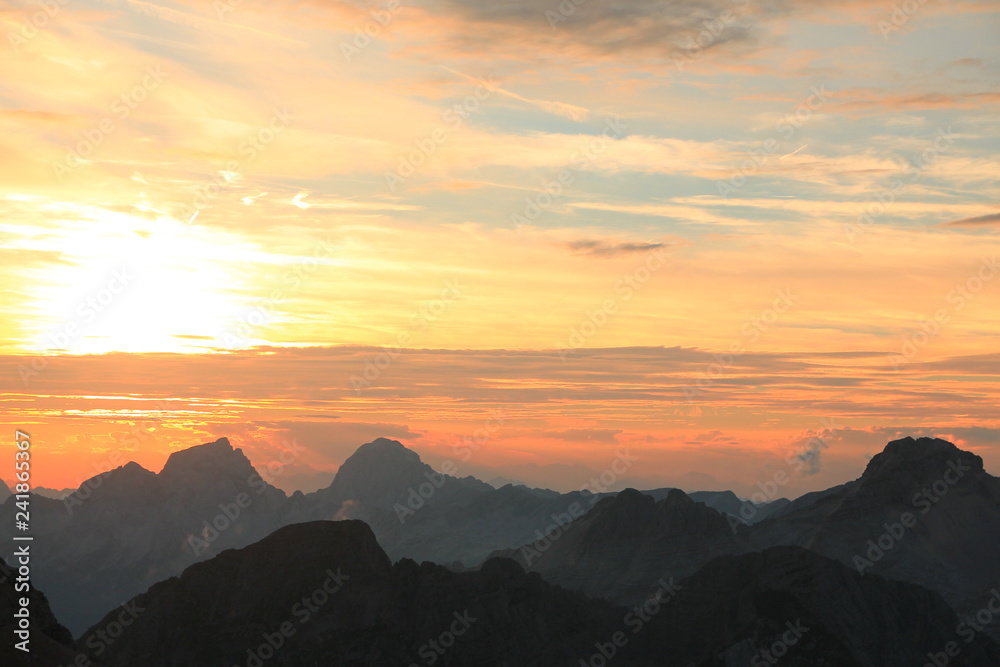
[{"x": 923, "y": 511}]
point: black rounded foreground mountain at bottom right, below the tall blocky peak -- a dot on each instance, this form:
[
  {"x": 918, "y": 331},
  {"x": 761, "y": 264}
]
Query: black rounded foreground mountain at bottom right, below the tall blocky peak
[{"x": 793, "y": 607}]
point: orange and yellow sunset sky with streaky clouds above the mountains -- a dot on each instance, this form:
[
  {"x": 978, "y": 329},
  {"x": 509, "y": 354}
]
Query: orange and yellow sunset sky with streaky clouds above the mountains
[{"x": 731, "y": 238}]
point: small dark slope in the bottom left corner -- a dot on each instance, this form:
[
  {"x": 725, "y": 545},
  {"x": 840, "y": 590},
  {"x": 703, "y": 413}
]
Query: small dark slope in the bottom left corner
[{"x": 50, "y": 644}]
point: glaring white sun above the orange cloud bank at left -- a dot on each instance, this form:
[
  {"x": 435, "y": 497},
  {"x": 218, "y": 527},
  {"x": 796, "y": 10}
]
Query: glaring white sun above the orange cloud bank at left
[{"x": 136, "y": 284}]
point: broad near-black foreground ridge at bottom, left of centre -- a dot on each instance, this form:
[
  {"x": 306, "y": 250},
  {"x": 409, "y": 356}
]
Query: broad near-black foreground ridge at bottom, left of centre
[{"x": 325, "y": 593}]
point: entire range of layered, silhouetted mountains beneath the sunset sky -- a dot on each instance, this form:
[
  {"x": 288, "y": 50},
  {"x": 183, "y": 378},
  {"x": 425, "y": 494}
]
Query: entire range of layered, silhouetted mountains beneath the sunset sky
[{"x": 131, "y": 533}]
